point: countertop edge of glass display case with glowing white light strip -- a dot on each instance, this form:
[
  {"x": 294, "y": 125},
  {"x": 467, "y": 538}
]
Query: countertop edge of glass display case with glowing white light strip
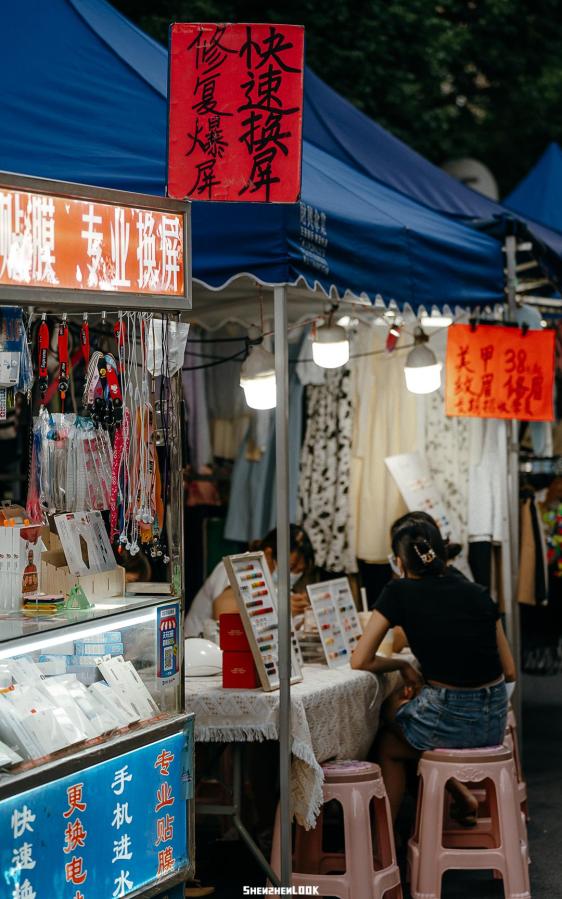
[{"x": 21, "y": 633}]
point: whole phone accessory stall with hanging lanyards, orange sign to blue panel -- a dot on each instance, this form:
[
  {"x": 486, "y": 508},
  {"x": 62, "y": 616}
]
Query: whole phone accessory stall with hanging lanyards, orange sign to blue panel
[{"x": 96, "y": 750}]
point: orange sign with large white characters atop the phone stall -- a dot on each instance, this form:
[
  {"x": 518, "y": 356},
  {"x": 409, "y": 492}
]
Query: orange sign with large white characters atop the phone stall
[{"x": 58, "y": 242}]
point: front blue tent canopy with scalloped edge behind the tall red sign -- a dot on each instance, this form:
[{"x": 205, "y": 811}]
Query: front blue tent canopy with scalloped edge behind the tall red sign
[{"x": 84, "y": 100}]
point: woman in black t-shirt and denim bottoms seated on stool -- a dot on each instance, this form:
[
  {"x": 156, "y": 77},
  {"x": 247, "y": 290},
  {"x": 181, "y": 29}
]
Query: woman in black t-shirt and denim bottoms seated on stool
[{"x": 453, "y": 629}]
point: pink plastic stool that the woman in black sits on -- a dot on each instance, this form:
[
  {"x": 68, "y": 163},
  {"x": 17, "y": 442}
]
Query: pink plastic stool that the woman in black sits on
[{"x": 498, "y": 843}]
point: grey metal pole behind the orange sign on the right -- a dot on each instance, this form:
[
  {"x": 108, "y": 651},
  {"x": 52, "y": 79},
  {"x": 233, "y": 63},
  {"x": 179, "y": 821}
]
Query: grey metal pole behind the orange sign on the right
[{"x": 511, "y": 606}]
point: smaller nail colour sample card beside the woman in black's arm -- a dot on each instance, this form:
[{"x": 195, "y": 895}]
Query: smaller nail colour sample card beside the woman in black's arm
[{"x": 337, "y": 619}]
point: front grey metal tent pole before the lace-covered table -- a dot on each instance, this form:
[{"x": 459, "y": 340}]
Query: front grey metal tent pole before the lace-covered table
[{"x": 283, "y": 550}]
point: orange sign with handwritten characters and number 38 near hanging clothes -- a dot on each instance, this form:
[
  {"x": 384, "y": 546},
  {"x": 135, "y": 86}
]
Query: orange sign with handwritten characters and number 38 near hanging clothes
[{"x": 500, "y": 372}]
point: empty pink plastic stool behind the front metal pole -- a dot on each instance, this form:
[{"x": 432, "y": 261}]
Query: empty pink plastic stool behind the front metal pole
[{"x": 356, "y": 874}]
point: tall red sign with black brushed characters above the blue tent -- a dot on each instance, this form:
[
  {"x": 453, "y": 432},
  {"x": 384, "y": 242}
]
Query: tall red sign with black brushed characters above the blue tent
[{"x": 235, "y": 112}]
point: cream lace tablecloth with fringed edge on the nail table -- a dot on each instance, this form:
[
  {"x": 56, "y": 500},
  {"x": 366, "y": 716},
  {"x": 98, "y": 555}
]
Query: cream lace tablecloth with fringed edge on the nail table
[{"x": 334, "y": 714}]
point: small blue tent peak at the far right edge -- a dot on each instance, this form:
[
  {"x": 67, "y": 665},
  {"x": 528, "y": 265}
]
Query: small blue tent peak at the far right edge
[{"x": 539, "y": 194}]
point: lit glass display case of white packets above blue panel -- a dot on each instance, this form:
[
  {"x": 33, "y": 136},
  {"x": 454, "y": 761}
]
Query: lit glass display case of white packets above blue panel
[{"x": 81, "y": 679}]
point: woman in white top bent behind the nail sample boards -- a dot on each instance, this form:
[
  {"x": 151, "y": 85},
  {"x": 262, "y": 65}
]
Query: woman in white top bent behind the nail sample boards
[{"x": 216, "y": 596}]
